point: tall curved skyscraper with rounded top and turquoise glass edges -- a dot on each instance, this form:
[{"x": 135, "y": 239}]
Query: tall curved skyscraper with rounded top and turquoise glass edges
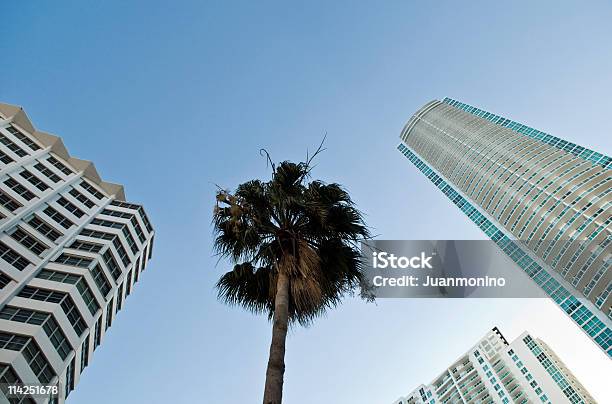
[{"x": 546, "y": 202}]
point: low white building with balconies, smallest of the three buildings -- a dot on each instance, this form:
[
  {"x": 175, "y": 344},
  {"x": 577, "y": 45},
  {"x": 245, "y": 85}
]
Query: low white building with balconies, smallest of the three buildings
[{"x": 494, "y": 371}]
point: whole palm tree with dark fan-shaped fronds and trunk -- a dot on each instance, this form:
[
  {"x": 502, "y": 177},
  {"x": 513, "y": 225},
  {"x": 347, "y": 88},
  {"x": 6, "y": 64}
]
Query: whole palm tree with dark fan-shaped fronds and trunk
[{"x": 294, "y": 244}]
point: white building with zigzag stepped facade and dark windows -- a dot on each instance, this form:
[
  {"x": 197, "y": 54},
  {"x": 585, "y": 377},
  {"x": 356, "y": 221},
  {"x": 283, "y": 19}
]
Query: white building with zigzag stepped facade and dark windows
[{"x": 71, "y": 250}]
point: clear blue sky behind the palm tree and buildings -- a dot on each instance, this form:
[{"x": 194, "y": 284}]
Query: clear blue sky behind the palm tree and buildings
[{"x": 170, "y": 98}]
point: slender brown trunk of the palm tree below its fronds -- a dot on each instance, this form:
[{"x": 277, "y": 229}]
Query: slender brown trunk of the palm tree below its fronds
[{"x": 273, "y": 393}]
